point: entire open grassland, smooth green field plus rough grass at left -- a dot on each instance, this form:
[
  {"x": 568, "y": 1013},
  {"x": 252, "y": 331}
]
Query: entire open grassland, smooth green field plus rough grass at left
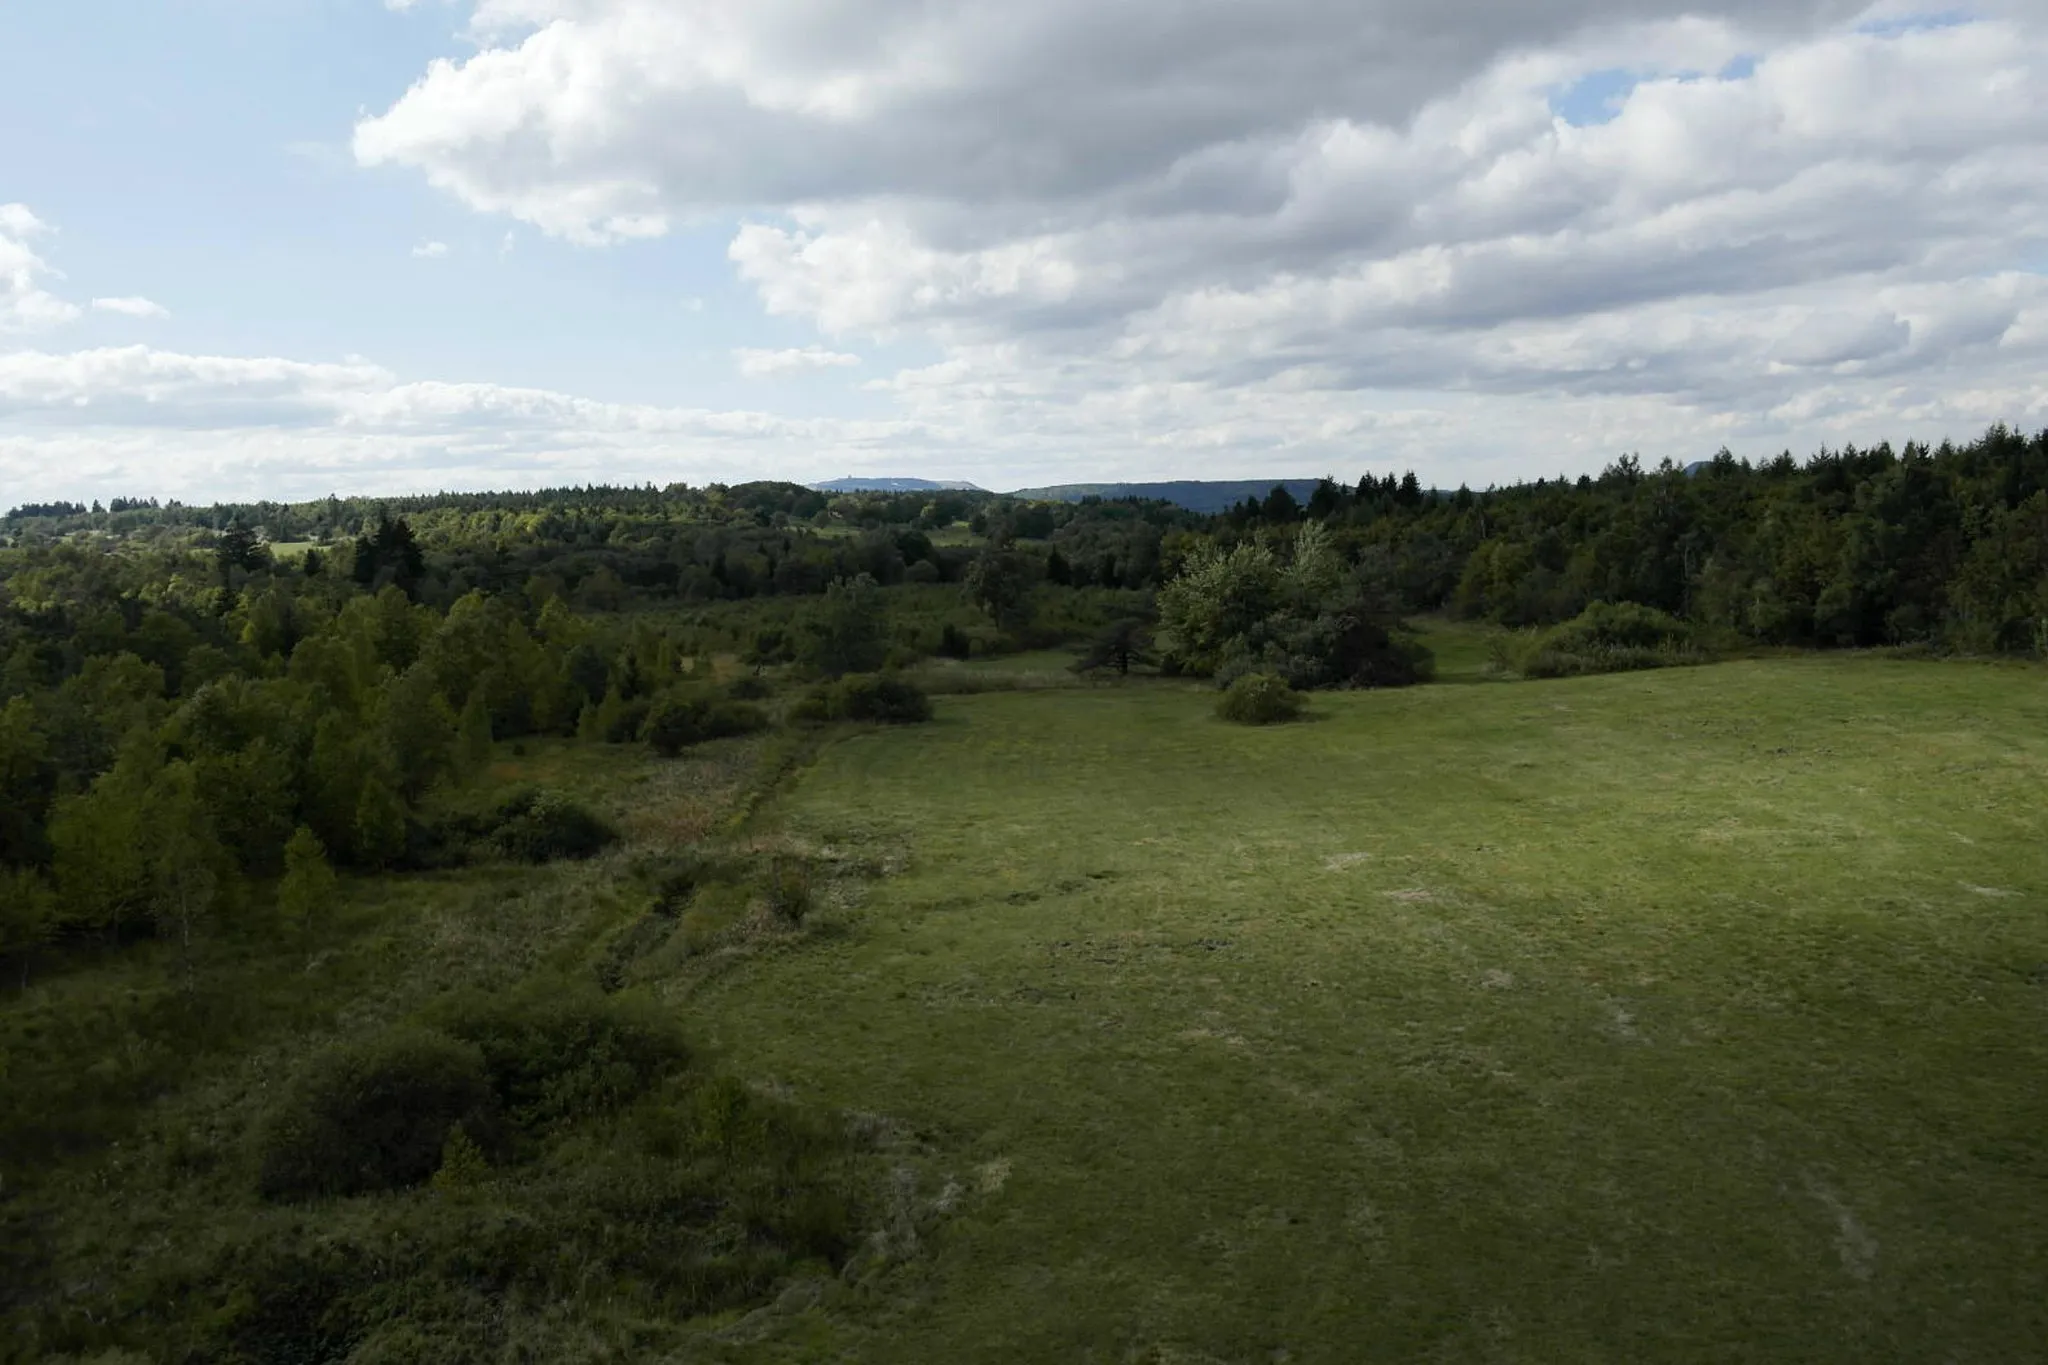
[{"x": 1676, "y": 1016}]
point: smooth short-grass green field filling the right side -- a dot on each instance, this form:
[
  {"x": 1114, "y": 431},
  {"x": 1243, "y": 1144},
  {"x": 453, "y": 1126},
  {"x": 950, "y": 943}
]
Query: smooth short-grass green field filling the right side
[{"x": 1691, "y": 1016}]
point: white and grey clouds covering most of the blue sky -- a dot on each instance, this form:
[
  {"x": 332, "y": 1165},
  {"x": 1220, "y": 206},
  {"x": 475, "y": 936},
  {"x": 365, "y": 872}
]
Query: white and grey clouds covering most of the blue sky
[{"x": 1187, "y": 238}]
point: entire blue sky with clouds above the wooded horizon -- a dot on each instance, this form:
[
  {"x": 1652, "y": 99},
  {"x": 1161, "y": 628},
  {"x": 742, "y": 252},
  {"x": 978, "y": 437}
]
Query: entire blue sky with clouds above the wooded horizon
[{"x": 286, "y": 249}]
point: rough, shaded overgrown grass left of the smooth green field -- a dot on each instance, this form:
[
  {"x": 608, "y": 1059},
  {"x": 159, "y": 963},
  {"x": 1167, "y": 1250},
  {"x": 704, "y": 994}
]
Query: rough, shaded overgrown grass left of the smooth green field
[{"x": 626, "y": 1206}]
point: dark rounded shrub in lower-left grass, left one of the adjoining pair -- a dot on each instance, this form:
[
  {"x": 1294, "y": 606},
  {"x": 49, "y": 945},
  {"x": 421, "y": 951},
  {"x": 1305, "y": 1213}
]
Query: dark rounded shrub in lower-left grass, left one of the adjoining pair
[{"x": 374, "y": 1116}]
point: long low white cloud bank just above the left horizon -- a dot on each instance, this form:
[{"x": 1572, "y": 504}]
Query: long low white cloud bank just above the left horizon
[{"x": 220, "y": 427}]
